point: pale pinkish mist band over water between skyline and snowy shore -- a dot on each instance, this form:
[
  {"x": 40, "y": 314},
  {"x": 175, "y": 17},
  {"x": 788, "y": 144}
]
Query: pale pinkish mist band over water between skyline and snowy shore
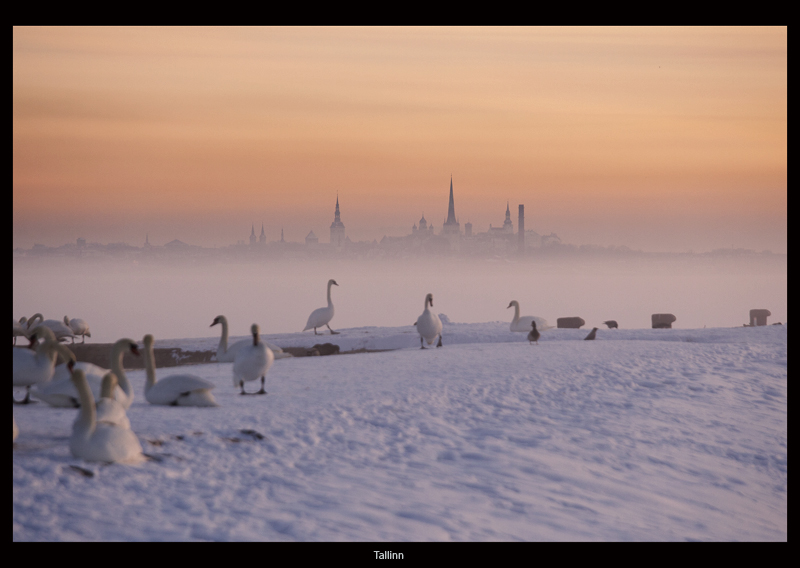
[{"x": 180, "y": 299}]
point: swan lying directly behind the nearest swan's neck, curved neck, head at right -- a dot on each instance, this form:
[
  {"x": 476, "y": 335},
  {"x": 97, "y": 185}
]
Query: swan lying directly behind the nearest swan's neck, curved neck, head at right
[{"x": 61, "y": 390}]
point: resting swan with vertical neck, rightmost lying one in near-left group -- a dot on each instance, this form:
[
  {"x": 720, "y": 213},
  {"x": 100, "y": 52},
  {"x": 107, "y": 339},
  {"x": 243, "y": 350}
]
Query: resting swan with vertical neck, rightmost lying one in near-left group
[{"x": 174, "y": 390}]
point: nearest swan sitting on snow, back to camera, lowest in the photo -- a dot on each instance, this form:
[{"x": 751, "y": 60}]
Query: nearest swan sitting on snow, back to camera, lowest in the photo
[{"x": 92, "y": 440}]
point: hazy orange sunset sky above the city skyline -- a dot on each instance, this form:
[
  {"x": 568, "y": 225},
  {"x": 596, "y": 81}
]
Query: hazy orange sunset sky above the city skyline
[{"x": 664, "y": 139}]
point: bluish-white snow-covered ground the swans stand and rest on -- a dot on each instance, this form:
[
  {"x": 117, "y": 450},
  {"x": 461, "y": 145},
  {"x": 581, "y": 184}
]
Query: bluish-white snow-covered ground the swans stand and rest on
[{"x": 642, "y": 434}]
